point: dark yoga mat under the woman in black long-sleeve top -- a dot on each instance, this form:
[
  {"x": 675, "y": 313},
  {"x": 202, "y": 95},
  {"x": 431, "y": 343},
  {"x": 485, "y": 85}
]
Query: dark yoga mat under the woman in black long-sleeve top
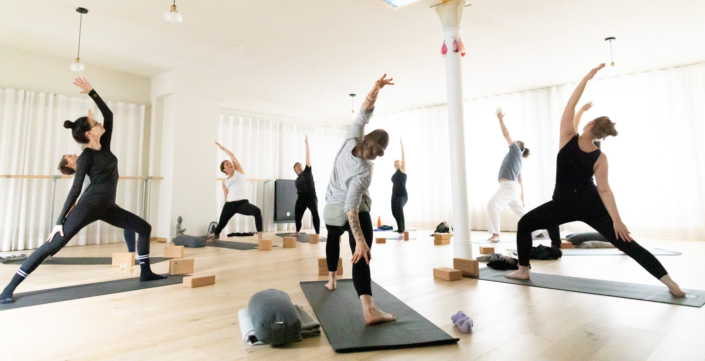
[{"x": 36, "y": 298}]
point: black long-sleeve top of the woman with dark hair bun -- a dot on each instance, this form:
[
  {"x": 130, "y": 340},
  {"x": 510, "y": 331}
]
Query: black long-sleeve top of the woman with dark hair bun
[{"x": 101, "y": 166}]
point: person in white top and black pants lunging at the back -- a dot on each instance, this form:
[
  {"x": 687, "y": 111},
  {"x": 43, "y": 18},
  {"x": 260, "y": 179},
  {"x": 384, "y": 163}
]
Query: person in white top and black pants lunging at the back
[{"x": 235, "y": 191}]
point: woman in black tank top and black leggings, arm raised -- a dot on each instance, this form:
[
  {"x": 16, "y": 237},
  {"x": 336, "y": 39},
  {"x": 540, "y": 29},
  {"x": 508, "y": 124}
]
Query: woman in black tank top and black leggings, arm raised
[{"x": 577, "y": 198}]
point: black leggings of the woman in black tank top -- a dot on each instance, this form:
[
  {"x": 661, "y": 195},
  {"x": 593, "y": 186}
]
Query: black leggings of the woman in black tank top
[{"x": 569, "y": 205}]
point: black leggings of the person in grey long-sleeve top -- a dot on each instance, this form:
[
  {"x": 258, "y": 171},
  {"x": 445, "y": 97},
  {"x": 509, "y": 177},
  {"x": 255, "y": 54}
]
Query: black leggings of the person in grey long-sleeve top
[{"x": 361, "y": 270}]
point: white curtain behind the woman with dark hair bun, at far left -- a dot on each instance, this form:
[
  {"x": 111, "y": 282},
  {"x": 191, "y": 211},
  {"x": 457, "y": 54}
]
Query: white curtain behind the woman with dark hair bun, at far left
[{"x": 32, "y": 141}]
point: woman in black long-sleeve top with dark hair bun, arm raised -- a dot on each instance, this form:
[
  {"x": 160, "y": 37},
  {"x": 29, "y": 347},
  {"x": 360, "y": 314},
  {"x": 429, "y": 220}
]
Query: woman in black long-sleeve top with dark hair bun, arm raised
[{"x": 97, "y": 203}]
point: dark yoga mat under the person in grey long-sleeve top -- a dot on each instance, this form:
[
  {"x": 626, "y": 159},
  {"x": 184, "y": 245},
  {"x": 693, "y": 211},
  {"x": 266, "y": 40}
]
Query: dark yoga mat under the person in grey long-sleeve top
[{"x": 340, "y": 315}]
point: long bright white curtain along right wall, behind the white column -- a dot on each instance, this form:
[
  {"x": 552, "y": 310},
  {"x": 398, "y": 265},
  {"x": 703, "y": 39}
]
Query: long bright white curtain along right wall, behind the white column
[{"x": 657, "y": 163}]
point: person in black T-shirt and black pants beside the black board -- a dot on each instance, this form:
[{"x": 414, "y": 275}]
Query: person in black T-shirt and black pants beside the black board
[{"x": 306, "y": 189}]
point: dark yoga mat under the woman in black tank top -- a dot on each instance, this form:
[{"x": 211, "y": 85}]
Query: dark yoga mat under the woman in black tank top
[{"x": 694, "y": 298}]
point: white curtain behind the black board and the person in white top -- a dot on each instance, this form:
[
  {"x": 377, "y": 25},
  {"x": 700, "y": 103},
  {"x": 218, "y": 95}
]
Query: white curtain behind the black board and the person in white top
[{"x": 268, "y": 150}]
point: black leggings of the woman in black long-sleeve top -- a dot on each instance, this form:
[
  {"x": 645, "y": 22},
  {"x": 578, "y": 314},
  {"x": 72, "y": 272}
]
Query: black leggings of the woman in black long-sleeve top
[{"x": 84, "y": 213}]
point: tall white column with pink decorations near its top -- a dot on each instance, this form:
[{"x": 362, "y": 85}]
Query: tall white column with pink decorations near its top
[{"x": 450, "y": 14}]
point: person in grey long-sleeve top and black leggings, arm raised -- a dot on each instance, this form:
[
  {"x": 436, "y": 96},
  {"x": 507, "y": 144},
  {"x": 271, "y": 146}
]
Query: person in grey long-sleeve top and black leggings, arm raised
[{"x": 348, "y": 203}]
